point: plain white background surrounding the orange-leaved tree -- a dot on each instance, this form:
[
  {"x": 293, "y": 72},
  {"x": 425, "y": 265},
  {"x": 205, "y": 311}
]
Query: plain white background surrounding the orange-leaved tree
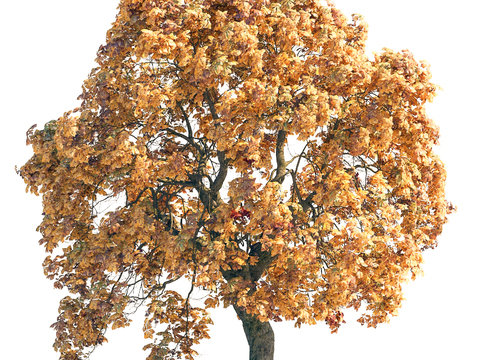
[{"x": 47, "y": 50}]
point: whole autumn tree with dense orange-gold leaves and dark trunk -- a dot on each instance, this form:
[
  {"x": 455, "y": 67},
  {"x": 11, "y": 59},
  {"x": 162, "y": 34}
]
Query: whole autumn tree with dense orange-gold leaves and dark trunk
[{"x": 187, "y": 127}]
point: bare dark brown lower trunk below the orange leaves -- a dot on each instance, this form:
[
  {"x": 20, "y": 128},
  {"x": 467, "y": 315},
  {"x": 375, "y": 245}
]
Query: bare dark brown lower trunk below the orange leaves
[{"x": 259, "y": 335}]
